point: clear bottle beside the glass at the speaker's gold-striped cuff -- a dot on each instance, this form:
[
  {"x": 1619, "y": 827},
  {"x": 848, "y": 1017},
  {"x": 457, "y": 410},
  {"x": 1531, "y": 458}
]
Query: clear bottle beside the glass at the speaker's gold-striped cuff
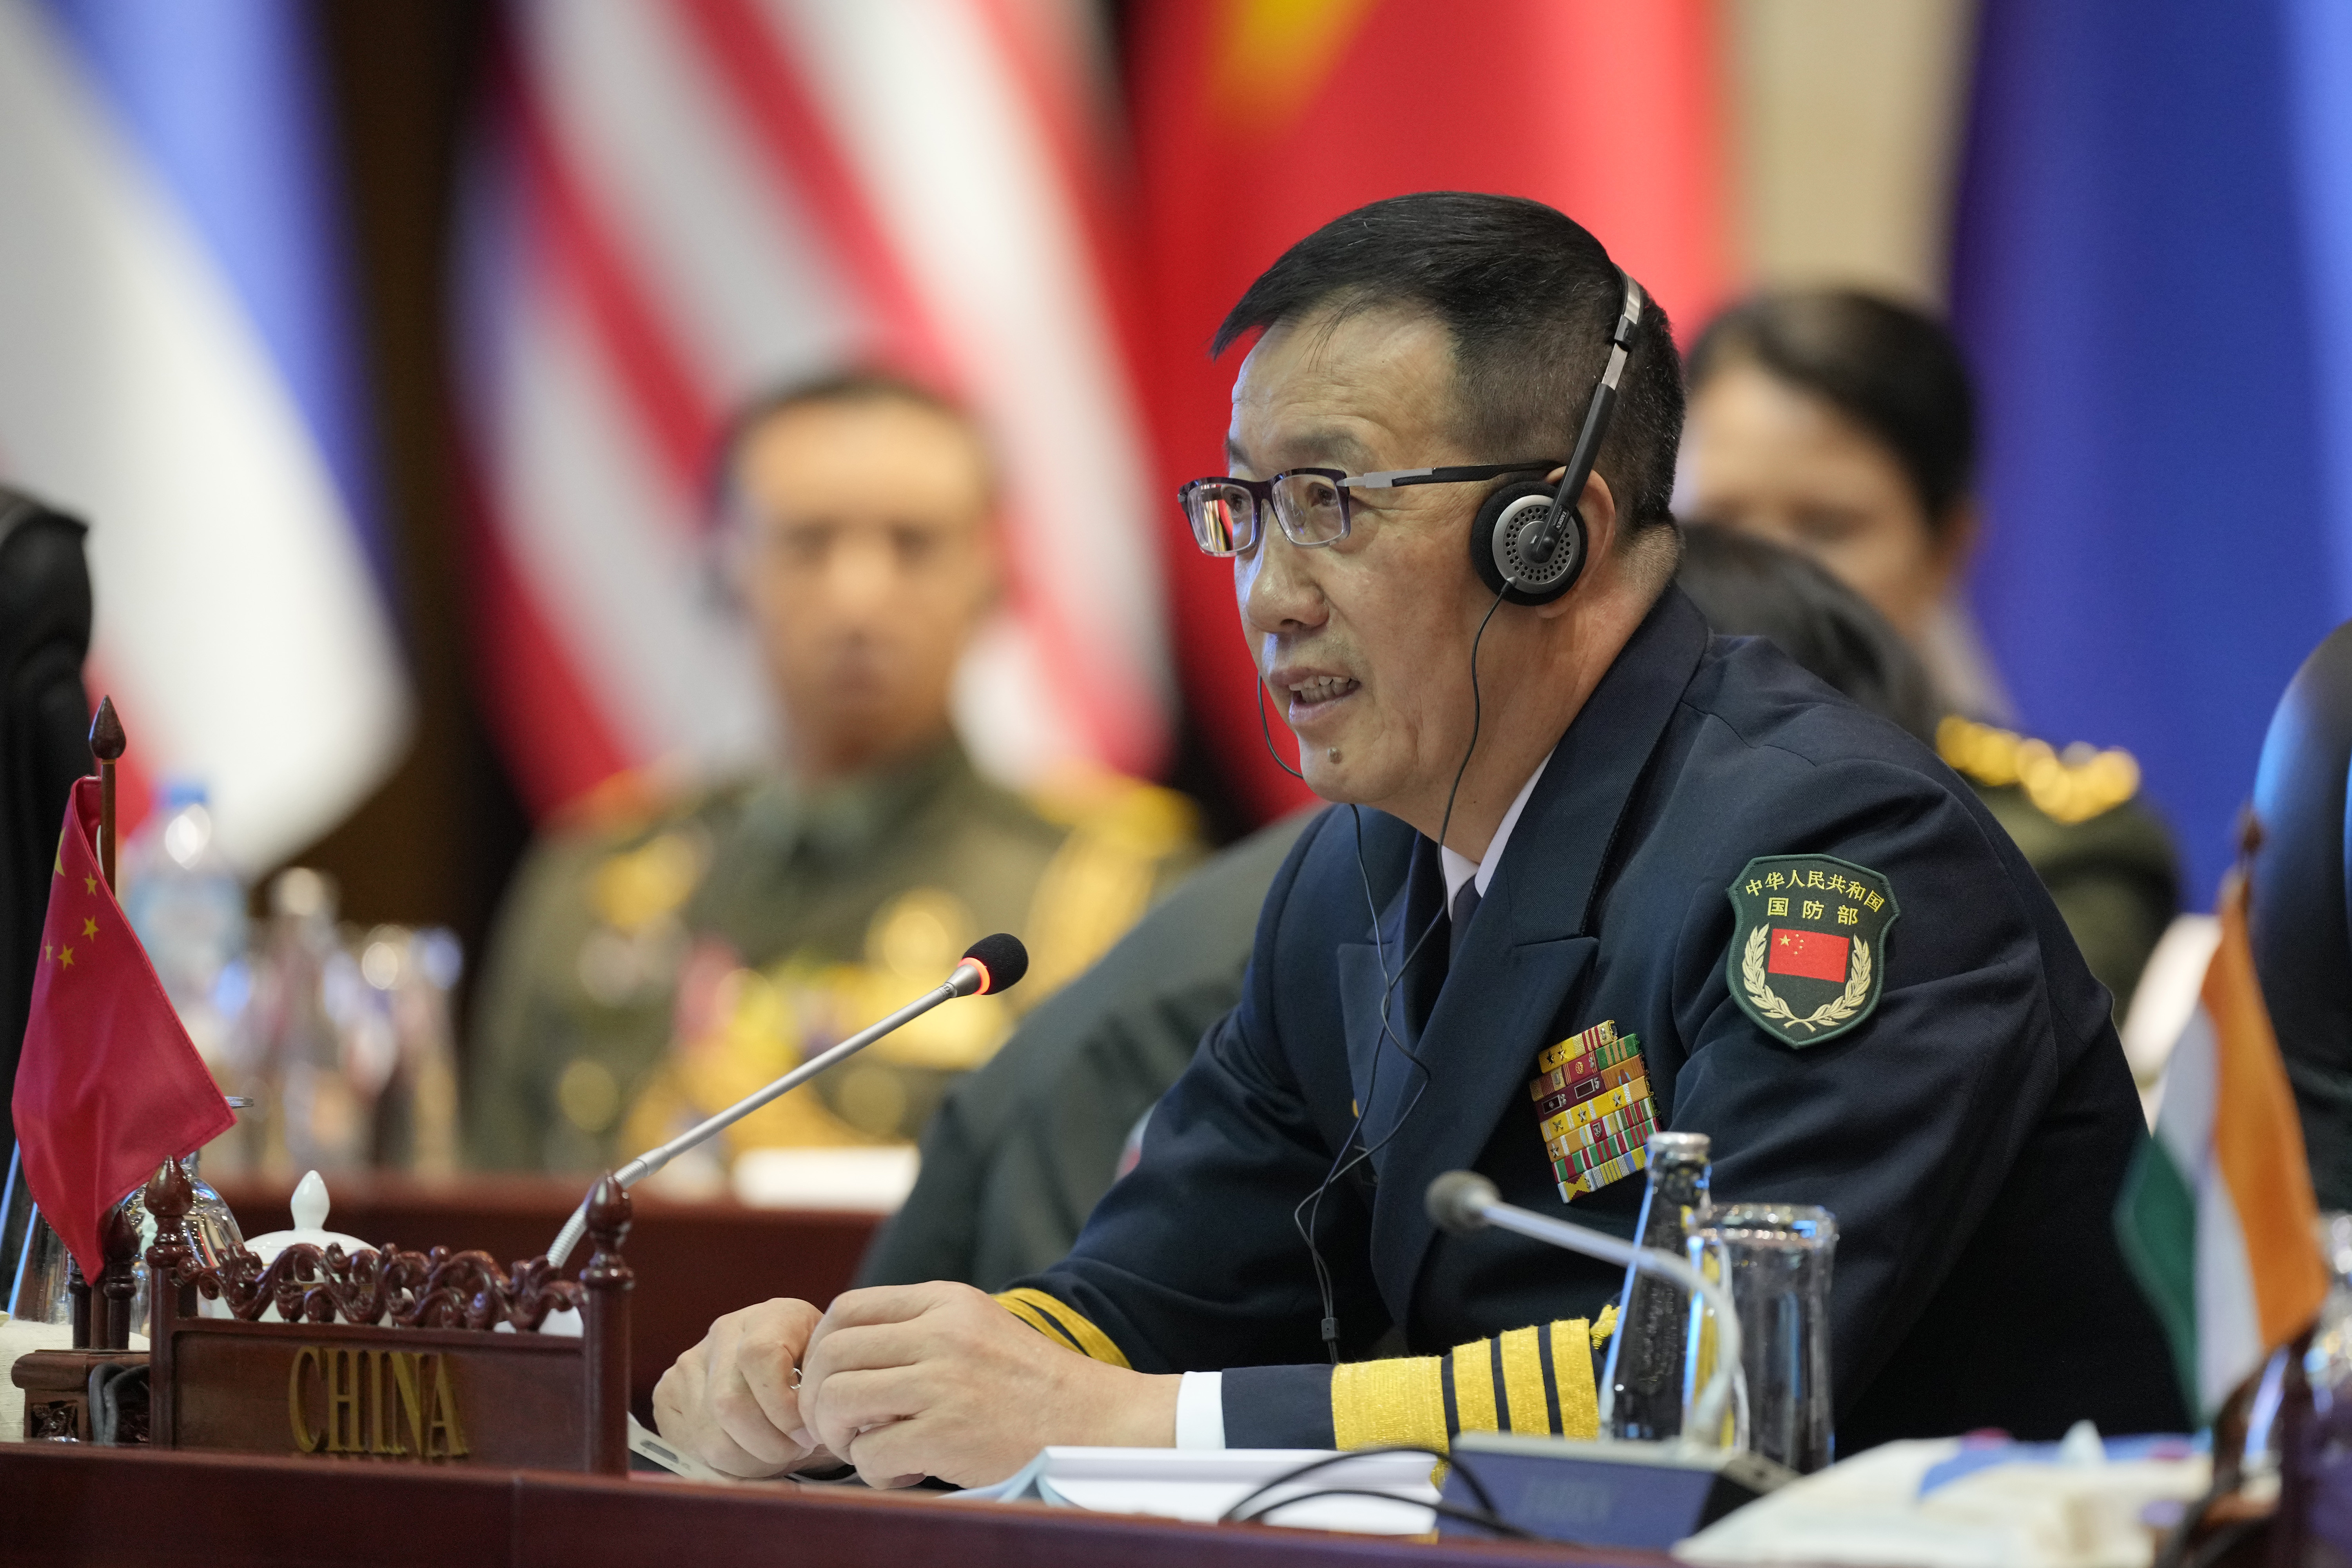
[{"x": 1643, "y": 1381}]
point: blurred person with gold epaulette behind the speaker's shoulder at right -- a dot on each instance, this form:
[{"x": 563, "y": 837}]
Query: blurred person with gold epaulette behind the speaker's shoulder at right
[{"x": 1843, "y": 427}]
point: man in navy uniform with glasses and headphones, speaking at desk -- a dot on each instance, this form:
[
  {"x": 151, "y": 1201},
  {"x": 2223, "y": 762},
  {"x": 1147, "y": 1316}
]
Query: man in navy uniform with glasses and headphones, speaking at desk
[{"x": 1605, "y": 876}]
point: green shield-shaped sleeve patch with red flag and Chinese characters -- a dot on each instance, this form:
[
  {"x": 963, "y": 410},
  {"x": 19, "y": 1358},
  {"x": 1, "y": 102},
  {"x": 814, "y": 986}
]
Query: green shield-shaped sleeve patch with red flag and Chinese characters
[{"x": 1810, "y": 946}]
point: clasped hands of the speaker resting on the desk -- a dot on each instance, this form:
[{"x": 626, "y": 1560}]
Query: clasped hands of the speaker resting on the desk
[{"x": 904, "y": 1383}]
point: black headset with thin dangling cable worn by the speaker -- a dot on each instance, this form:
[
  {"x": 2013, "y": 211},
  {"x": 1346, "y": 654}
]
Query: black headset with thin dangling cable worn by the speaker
[{"x": 1528, "y": 544}]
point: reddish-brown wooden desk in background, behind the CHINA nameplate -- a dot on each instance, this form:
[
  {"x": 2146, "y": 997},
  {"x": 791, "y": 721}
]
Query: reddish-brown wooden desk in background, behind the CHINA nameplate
[{"x": 693, "y": 1259}]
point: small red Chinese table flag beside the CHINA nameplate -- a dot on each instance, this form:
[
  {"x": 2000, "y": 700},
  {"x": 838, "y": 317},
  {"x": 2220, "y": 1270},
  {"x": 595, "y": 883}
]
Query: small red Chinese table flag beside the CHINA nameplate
[{"x": 109, "y": 1085}]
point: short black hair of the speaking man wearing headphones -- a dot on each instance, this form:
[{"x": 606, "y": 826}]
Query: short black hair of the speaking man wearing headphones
[{"x": 1530, "y": 300}]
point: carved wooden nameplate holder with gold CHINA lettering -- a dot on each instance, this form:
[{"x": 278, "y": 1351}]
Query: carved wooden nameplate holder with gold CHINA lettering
[{"x": 387, "y": 1355}]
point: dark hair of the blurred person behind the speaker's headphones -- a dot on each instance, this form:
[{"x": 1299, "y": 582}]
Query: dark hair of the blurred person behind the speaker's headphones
[{"x": 1887, "y": 368}]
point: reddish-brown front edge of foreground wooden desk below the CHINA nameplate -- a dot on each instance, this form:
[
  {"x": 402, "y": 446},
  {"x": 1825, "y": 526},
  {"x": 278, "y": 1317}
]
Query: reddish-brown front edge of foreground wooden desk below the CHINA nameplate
[{"x": 128, "y": 1508}]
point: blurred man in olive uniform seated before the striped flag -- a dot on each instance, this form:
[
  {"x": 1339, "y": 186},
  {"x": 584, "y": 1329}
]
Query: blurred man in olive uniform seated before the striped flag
[{"x": 660, "y": 963}]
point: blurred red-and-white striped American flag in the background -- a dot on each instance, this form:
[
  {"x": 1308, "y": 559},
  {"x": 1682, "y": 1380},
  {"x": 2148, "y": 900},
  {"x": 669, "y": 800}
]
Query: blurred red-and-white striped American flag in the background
[{"x": 683, "y": 203}]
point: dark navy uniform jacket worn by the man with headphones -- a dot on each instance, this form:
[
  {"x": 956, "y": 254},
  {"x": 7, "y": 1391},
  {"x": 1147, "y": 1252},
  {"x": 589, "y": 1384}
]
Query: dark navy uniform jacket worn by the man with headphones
[{"x": 1970, "y": 1137}]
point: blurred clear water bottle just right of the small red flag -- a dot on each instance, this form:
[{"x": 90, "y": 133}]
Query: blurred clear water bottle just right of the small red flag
[{"x": 187, "y": 904}]
